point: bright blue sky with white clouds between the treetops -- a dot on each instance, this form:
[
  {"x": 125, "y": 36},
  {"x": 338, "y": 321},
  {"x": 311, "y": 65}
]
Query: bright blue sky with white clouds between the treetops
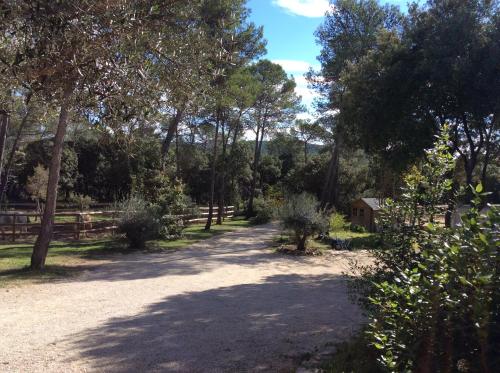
[{"x": 289, "y": 27}]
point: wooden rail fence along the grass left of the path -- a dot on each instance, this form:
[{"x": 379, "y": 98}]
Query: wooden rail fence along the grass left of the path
[{"x": 71, "y": 224}]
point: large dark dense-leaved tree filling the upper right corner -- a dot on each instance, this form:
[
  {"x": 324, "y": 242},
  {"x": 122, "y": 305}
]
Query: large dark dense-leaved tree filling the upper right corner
[{"x": 437, "y": 69}]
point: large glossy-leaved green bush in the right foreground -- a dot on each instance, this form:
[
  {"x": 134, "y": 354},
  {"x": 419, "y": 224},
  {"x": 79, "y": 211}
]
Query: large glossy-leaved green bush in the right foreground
[{"x": 434, "y": 300}]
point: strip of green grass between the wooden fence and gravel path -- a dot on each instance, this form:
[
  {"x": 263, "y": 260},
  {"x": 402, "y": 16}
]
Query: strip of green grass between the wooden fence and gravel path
[{"x": 69, "y": 258}]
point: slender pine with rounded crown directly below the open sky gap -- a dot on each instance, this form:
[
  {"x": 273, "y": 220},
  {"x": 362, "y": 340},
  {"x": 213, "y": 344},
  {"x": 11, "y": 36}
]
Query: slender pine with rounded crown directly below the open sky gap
[{"x": 276, "y": 103}]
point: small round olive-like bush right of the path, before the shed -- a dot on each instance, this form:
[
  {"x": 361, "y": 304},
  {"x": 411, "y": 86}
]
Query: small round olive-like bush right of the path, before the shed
[{"x": 302, "y": 215}]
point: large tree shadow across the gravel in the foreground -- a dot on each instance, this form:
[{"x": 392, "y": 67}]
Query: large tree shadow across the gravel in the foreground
[{"x": 267, "y": 326}]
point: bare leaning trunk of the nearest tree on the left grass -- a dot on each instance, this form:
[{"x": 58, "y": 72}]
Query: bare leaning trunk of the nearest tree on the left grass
[{"x": 47, "y": 224}]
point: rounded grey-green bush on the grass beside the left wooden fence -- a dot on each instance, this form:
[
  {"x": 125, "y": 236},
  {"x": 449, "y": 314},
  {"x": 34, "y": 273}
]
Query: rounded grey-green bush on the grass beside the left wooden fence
[{"x": 138, "y": 221}]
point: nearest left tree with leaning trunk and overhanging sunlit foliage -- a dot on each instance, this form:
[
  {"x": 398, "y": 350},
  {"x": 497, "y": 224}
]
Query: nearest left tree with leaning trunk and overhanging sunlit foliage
[{"x": 72, "y": 53}]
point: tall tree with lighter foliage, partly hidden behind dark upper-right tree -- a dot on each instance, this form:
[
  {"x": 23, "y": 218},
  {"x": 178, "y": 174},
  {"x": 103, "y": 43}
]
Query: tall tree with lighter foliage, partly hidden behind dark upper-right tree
[{"x": 347, "y": 34}]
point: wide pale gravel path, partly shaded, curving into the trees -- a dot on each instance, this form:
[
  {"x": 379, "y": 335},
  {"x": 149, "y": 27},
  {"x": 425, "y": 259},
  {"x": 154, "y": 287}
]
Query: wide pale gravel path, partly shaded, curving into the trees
[{"x": 227, "y": 304}]
